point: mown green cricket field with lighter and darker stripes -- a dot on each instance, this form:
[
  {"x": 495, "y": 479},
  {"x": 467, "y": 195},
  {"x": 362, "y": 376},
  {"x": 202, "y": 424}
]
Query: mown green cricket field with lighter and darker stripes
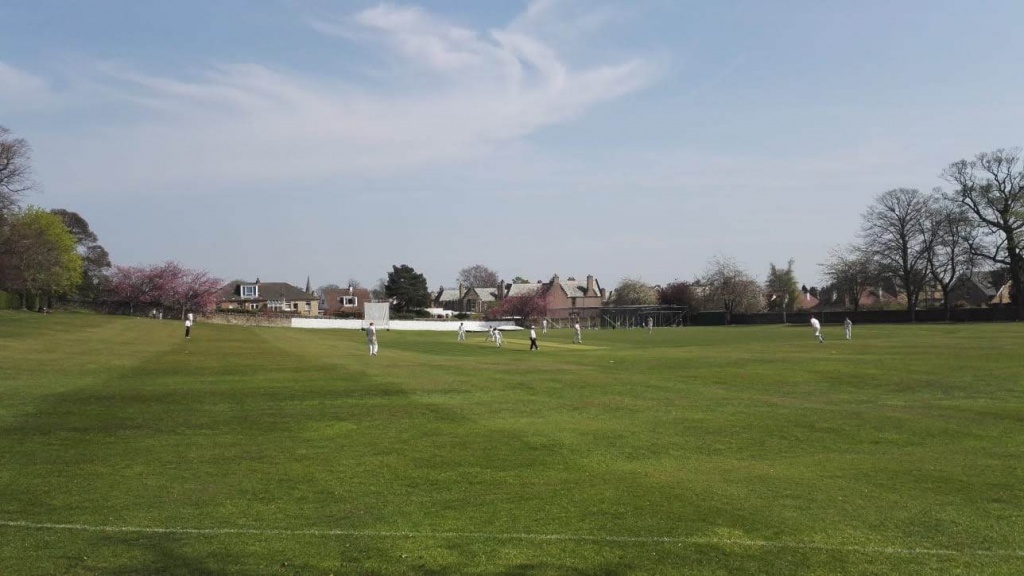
[{"x": 129, "y": 450}]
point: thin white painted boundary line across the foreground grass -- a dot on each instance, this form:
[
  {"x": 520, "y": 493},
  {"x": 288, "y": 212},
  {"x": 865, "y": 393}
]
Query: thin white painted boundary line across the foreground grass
[{"x": 496, "y": 537}]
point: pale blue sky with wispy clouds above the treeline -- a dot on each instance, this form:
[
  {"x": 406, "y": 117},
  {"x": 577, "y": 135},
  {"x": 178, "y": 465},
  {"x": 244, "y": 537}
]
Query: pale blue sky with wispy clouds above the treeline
[{"x": 642, "y": 139}]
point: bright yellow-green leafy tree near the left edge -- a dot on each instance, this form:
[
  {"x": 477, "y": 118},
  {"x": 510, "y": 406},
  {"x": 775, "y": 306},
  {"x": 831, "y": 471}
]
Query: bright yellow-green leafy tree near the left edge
[{"x": 38, "y": 256}]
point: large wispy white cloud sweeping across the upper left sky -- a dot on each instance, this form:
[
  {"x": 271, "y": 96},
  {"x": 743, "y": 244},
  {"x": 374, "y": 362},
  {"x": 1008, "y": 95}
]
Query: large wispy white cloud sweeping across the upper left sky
[{"x": 241, "y": 124}]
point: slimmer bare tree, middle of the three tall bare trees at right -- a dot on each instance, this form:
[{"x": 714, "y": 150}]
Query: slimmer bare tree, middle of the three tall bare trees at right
[{"x": 955, "y": 235}]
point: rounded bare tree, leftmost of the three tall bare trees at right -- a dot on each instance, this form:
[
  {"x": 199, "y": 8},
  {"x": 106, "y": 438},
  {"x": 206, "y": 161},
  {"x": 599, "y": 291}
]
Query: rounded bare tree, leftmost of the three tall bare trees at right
[{"x": 895, "y": 234}]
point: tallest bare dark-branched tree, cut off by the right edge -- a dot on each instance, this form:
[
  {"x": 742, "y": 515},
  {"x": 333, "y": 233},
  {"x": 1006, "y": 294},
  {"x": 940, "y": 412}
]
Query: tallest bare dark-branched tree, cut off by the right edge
[{"x": 992, "y": 187}]
